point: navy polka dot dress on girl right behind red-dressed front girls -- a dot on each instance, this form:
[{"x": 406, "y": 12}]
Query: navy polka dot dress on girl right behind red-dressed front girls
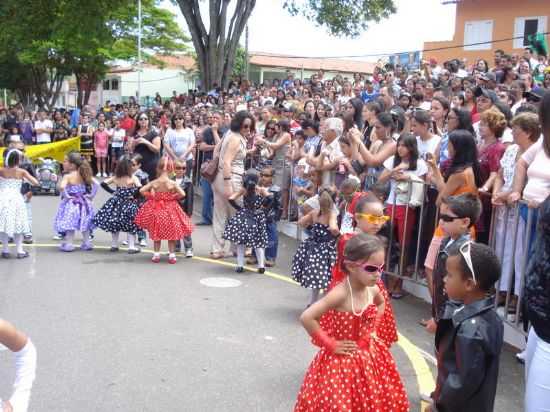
[{"x": 313, "y": 261}]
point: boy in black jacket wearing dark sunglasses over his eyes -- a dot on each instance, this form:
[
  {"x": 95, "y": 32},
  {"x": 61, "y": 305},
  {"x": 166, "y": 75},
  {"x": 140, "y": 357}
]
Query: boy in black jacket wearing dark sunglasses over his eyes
[{"x": 457, "y": 216}]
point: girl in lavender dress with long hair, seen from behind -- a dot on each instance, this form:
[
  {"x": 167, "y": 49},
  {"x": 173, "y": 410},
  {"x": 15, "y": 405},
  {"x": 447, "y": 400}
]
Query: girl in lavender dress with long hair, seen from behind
[{"x": 75, "y": 212}]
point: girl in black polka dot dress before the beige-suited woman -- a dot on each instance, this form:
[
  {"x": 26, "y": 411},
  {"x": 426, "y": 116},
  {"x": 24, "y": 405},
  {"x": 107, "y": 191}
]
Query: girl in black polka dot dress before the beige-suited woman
[{"x": 248, "y": 228}]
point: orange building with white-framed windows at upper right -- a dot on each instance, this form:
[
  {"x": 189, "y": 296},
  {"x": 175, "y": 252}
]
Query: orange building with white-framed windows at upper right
[{"x": 492, "y": 24}]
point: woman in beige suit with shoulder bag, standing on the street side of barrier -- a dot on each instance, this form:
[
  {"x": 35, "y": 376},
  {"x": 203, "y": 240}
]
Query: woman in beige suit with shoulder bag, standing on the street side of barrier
[{"x": 232, "y": 154}]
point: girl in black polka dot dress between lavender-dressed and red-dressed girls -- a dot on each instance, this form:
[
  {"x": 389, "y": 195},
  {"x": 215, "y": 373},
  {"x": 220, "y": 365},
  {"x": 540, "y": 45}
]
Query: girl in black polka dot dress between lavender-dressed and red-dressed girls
[{"x": 119, "y": 212}]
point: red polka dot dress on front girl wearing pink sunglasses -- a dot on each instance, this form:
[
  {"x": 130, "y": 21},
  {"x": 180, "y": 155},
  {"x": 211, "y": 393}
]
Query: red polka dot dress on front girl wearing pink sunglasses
[{"x": 366, "y": 381}]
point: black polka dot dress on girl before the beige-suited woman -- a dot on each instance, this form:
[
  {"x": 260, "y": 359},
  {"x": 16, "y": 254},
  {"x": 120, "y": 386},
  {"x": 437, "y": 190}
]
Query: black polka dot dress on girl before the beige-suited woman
[{"x": 248, "y": 226}]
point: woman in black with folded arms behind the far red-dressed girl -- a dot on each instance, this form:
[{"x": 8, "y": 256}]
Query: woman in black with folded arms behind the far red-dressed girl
[{"x": 147, "y": 143}]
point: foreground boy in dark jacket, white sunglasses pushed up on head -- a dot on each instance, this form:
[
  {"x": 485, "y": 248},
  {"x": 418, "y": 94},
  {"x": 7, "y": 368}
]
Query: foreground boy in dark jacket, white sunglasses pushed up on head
[{"x": 469, "y": 334}]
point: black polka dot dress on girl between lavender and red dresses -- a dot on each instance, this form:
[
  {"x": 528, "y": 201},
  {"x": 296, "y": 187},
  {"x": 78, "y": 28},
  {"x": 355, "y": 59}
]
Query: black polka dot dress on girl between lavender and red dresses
[{"x": 118, "y": 213}]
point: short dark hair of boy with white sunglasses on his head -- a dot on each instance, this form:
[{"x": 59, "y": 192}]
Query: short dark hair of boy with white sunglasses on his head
[{"x": 485, "y": 262}]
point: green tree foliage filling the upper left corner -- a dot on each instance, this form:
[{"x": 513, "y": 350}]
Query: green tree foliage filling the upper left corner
[{"x": 55, "y": 38}]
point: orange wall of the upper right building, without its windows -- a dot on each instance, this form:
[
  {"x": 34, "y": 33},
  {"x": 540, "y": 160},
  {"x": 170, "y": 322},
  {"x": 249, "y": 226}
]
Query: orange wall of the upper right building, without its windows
[{"x": 502, "y": 12}]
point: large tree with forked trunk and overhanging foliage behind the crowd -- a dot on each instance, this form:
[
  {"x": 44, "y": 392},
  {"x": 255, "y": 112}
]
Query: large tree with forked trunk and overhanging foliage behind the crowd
[{"x": 216, "y": 48}]
